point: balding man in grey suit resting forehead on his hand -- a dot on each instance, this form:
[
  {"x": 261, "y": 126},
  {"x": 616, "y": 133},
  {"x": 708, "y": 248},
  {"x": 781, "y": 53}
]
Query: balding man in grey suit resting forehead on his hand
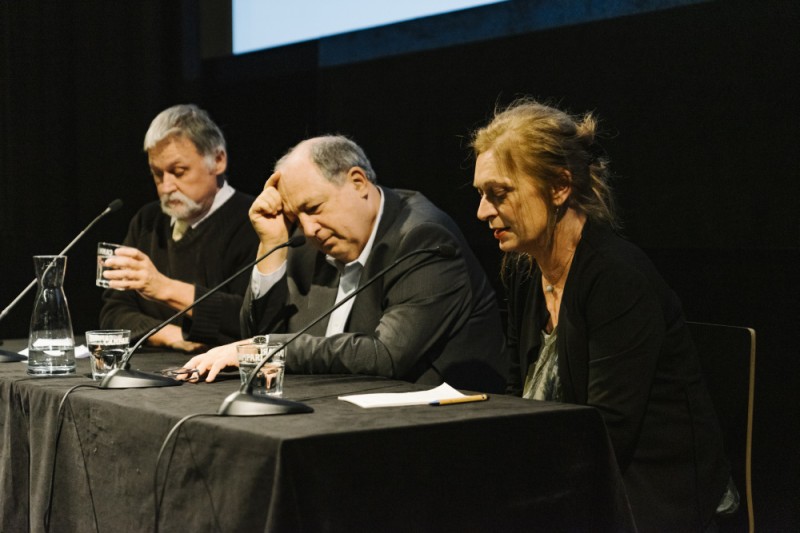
[{"x": 432, "y": 319}]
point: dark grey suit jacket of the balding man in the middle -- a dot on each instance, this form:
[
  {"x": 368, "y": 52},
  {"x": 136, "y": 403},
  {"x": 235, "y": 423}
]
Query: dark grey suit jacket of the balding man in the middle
[{"x": 430, "y": 319}]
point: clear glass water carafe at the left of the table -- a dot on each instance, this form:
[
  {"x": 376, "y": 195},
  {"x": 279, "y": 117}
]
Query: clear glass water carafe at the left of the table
[{"x": 51, "y": 345}]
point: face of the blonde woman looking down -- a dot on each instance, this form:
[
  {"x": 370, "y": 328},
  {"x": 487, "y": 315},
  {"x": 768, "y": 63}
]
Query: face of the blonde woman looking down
[{"x": 515, "y": 209}]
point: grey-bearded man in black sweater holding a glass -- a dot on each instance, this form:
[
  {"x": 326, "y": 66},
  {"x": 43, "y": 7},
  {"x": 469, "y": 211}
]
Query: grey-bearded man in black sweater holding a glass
[{"x": 193, "y": 238}]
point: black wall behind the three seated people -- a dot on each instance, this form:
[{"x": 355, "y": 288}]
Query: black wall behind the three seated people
[{"x": 700, "y": 103}]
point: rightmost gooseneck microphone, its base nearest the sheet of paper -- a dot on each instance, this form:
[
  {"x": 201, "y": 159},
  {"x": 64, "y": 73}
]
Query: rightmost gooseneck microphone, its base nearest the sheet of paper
[{"x": 244, "y": 403}]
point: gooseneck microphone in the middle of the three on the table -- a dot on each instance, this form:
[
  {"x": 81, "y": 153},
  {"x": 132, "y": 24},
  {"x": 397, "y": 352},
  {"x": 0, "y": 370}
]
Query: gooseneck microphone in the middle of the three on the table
[{"x": 125, "y": 378}]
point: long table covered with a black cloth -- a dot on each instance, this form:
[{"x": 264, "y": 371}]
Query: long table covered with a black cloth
[{"x": 505, "y": 464}]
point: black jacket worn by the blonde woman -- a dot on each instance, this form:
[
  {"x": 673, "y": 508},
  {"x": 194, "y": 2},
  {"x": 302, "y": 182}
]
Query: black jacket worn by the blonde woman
[{"x": 623, "y": 347}]
